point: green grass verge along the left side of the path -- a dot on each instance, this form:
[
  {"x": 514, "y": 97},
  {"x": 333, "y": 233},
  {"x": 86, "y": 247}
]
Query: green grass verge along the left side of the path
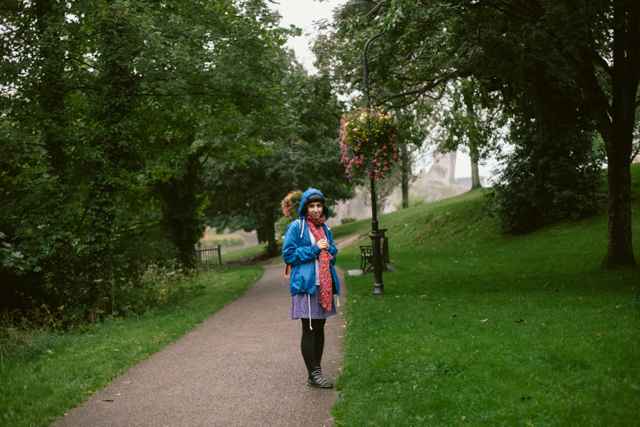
[{"x": 43, "y": 375}]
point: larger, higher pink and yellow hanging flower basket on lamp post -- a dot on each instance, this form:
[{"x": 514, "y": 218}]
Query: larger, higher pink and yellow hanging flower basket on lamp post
[{"x": 368, "y": 140}]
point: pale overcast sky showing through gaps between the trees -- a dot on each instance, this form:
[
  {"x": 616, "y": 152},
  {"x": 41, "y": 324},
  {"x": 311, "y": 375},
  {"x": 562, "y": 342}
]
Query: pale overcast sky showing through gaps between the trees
[{"x": 302, "y": 14}]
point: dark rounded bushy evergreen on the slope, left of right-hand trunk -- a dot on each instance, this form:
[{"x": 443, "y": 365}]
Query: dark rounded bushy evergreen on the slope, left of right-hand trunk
[{"x": 554, "y": 172}]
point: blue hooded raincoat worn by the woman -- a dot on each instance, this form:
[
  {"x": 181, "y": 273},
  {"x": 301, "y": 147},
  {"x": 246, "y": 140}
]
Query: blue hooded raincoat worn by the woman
[{"x": 298, "y": 252}]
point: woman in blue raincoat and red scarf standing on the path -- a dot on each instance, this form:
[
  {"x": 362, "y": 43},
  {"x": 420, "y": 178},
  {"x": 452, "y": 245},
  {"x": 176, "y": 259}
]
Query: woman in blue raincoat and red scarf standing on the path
[{"x": 308, "y": 247}]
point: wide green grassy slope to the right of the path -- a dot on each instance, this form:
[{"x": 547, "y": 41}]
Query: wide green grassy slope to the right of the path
[{"x": 573, "y": 358}]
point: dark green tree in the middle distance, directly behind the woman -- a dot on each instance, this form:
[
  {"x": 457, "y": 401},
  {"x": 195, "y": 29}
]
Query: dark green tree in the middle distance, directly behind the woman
[{"x": 247, "y": 194}]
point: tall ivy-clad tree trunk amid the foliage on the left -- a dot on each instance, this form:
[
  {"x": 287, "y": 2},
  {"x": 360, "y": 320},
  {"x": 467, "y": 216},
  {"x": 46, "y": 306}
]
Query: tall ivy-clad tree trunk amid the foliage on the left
[{"x": 112, "y": 141}]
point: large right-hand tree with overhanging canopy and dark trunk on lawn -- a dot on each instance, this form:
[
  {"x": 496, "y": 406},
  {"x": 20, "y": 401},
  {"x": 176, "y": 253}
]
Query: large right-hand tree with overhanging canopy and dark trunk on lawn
[{"x": 581, "y": 47}]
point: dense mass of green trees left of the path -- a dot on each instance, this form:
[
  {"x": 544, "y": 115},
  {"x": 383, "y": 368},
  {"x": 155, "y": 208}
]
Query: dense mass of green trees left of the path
[{"x": 109, "y": 110}]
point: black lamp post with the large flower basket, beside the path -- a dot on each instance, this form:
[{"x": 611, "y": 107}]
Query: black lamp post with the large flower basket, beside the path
[{"x": 363, "y": 7}]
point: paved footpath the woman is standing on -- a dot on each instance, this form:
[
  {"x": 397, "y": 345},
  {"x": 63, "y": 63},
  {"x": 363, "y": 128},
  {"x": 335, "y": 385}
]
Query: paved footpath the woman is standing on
[{"x": 240, "y": 367}]
